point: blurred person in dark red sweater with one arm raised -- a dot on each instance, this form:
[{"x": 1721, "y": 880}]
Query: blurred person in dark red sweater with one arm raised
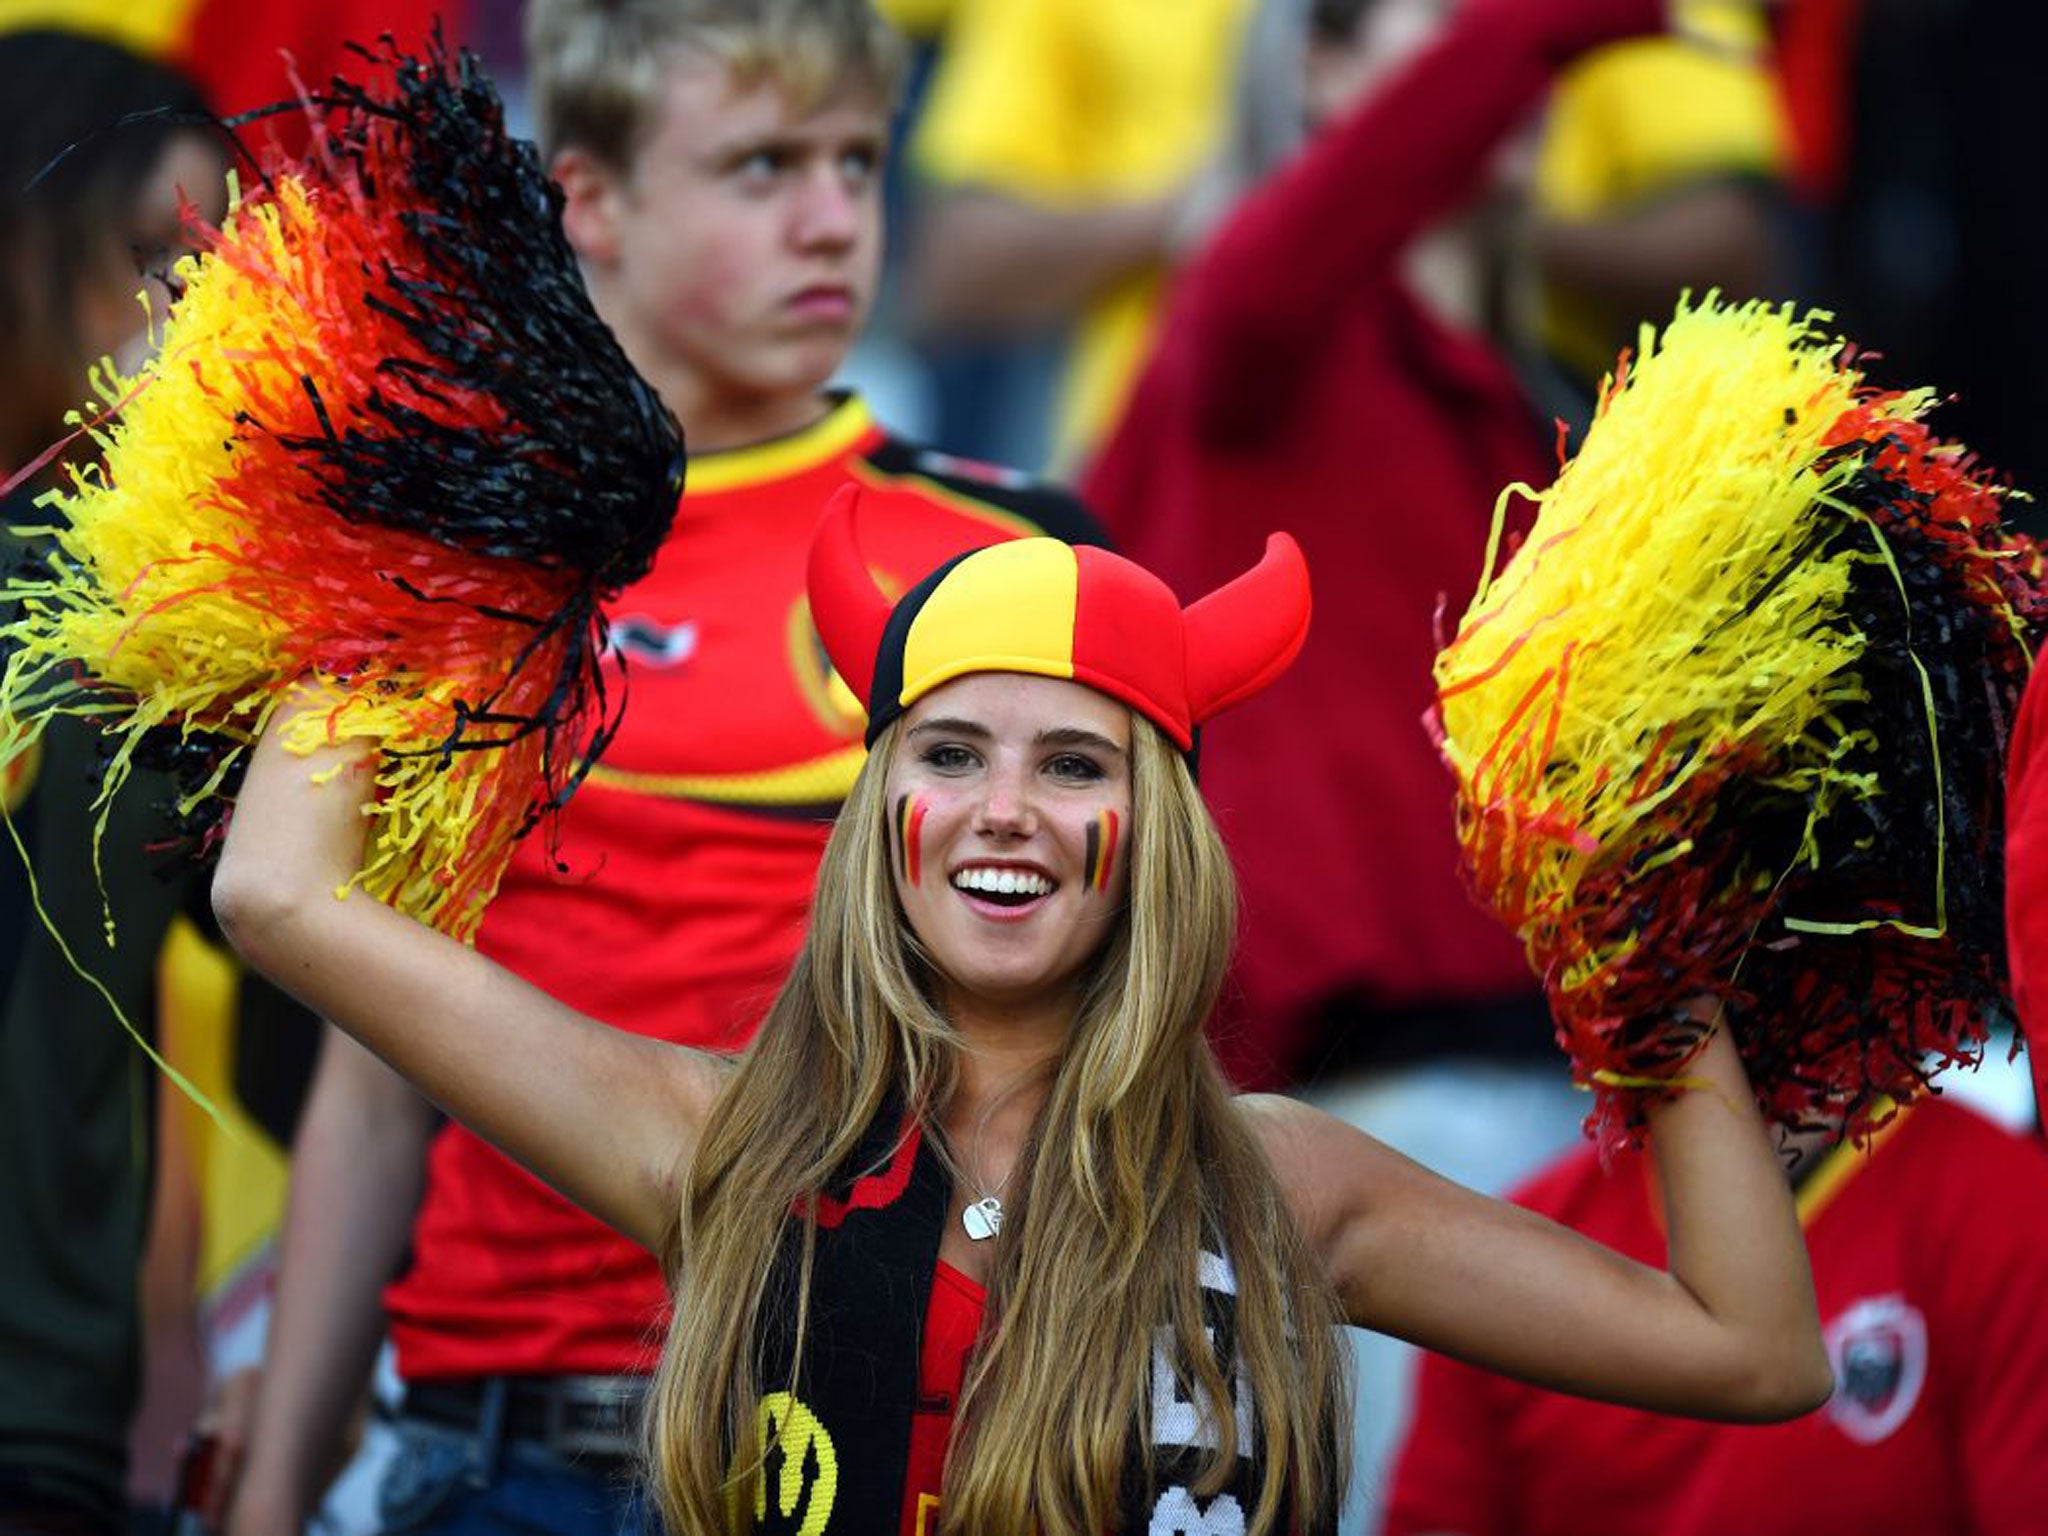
[{"x": 1304, "y": 382}]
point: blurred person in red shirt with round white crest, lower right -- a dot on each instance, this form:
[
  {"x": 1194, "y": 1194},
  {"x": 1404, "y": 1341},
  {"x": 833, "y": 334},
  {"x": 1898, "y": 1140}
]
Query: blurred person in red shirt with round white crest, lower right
[{"x": 1930, "y": 1252}]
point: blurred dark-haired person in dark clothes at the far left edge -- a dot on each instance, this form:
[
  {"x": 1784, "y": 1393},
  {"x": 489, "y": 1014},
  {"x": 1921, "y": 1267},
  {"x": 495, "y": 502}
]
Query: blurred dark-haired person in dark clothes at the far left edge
[{"x": 77, "y": 239}]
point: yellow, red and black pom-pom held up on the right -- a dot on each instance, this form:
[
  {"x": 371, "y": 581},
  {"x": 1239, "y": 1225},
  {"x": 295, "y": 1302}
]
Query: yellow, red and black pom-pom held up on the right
[{"x": 1730, "y": 728}]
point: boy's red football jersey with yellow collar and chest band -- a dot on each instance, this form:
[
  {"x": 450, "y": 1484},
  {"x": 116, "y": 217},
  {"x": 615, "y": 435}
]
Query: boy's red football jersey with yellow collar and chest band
[{"x": 681, "y": 884}]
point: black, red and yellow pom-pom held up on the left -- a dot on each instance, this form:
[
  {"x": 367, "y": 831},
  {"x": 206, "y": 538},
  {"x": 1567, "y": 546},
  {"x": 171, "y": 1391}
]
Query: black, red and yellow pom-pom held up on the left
[{"x": 386, "y": 445}]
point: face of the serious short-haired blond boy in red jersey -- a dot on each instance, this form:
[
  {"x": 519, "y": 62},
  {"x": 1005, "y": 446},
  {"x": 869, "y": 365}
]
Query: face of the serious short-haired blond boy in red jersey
[{"x": 740, "y": 253}]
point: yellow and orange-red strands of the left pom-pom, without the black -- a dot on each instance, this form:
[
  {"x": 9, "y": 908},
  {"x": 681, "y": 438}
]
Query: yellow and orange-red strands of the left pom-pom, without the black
[{"x": 200, "y": 570}]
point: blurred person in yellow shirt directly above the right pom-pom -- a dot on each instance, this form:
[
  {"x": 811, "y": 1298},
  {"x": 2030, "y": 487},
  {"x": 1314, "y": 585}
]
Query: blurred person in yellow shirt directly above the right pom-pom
[{"x": 1658, "y": 171}]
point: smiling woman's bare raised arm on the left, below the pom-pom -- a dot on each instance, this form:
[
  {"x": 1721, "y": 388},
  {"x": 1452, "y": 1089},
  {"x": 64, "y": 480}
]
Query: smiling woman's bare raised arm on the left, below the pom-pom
[{"x": 603, "y": 1115}]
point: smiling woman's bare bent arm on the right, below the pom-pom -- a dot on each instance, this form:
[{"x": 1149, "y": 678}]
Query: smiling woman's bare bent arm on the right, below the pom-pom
[{"x": 1727, "y": 1334}]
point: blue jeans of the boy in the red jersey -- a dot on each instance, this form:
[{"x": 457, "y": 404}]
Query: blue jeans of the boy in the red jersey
[{"x": 452, "y": 1484}]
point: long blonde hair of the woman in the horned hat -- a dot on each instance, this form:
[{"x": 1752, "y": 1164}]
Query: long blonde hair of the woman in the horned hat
[{"x": 1136, "y": 1162}]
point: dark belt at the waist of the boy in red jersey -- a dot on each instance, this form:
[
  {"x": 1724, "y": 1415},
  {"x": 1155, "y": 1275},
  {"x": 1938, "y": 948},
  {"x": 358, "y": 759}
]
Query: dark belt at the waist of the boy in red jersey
[{"x": 581, "y": 1418}]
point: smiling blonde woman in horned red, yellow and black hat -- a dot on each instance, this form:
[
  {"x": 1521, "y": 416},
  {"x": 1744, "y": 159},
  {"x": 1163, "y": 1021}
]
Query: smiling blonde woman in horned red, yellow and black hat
[{"x": 974, "y": 1238}]
